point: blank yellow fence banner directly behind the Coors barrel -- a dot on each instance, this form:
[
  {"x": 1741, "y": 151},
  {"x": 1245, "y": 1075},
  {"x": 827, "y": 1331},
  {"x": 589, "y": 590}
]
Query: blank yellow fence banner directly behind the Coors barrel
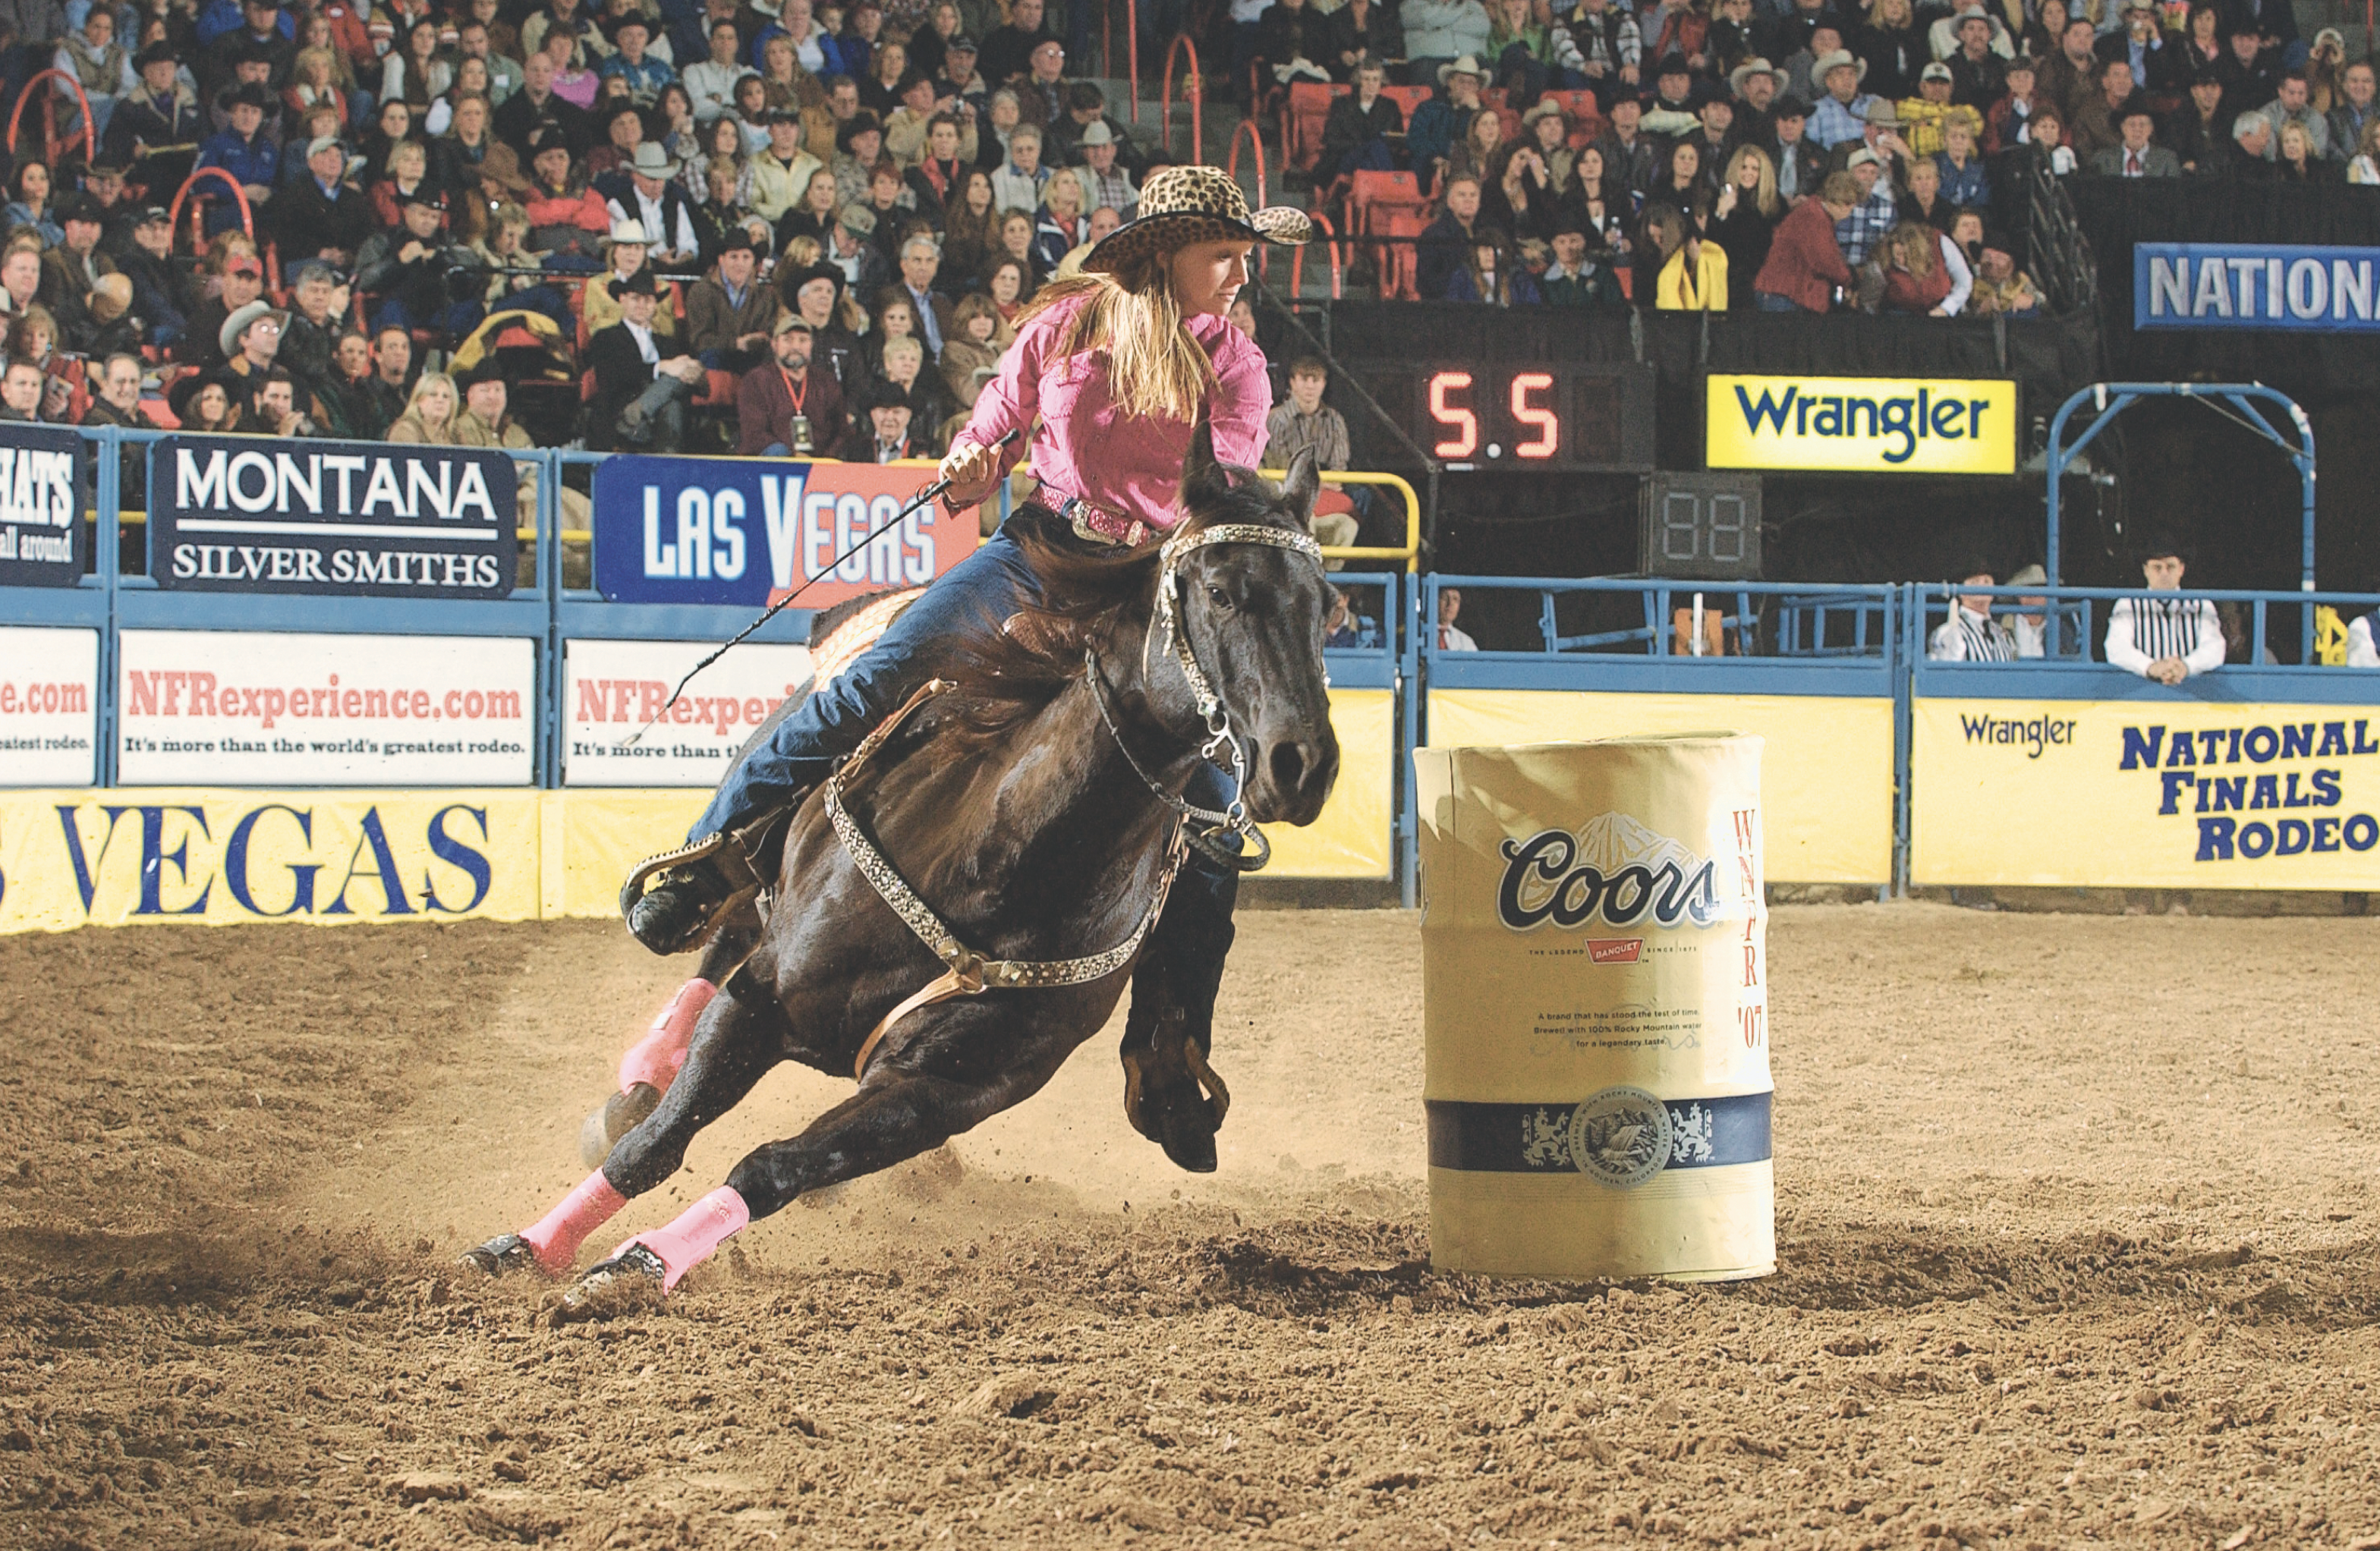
[{"x": 1827, "y": 777}]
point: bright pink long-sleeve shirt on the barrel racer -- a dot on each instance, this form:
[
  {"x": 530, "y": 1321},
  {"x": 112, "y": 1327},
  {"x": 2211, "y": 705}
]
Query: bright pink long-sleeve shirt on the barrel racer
[{"x": 1086, "y": 446}]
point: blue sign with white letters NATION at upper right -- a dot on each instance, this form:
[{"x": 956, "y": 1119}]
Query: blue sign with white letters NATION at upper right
[{"x": 2255, "y": 287}]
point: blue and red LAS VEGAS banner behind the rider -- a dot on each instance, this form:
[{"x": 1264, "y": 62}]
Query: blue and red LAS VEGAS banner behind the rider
[{"x": 746, "y": 532}]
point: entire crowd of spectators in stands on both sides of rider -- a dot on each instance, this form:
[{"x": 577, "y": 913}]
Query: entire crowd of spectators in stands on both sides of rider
[{"x": 810, "y": 227}]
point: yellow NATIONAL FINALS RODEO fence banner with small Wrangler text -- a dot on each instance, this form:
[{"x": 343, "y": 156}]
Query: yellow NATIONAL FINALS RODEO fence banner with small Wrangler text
[{"x": 2146, "y": 796}]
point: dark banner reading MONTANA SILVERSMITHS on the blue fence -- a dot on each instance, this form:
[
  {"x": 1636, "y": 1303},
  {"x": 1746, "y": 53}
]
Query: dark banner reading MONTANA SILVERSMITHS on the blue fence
[{"x": 382, "y": 520}]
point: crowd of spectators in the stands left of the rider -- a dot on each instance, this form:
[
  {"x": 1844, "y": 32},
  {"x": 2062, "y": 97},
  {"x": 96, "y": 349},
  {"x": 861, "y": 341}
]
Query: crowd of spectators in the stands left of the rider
[{"x": 803, "y": 227}]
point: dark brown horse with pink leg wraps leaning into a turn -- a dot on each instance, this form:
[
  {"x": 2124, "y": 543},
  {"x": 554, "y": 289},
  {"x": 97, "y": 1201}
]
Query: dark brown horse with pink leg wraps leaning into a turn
[{"x": 1034, "y": 815}]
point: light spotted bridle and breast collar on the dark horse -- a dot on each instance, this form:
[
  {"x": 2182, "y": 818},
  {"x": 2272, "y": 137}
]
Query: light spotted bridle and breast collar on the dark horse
[{"x": 970, "y": 974}]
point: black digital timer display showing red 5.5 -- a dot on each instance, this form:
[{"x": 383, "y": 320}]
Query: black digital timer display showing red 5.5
[{"x": 1522, "y": 415}]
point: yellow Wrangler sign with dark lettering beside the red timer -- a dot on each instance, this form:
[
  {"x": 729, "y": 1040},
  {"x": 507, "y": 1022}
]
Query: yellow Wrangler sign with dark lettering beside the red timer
[{"x": 1860, "y": 425}]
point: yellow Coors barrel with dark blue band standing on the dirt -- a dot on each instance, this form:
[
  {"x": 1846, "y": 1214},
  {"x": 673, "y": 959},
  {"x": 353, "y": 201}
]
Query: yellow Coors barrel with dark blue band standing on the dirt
[{"x": 1596, "y": 1010}]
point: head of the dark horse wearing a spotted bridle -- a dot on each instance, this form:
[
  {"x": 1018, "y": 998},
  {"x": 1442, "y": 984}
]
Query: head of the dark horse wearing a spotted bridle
[{"x": 1253, "y": 617}]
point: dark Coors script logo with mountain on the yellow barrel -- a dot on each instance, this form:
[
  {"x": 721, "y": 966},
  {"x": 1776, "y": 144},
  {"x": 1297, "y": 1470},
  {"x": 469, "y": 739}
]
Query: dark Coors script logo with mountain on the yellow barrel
[{"x": 1615, "y": 869}]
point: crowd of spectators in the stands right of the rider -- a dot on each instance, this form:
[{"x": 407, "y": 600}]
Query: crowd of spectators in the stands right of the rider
[{"x": 1798, "y": 153}]
